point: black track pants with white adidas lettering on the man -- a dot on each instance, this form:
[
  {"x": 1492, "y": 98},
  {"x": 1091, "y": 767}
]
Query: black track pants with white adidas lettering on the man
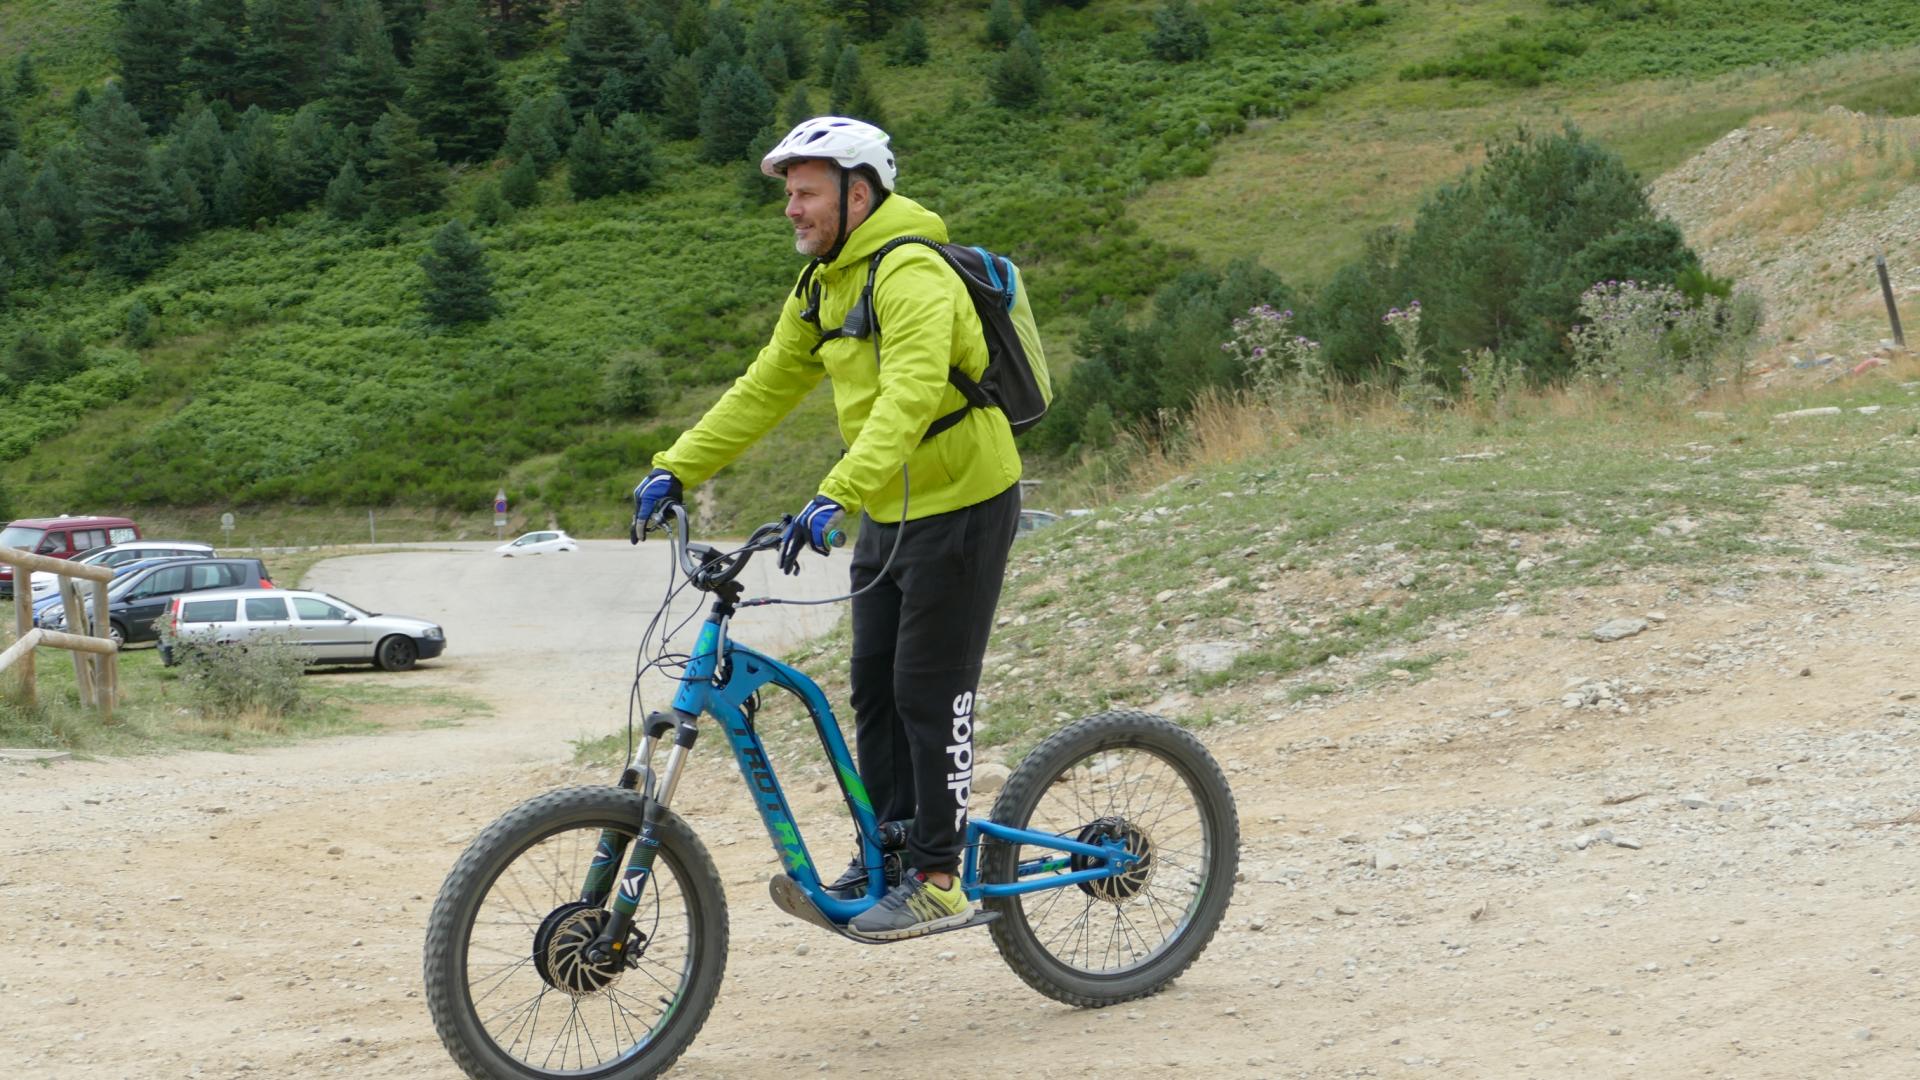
[{"x": 919, "y": 639}]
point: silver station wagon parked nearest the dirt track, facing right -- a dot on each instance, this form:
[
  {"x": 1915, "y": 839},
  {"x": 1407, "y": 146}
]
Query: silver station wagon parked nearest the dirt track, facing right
[{"x": 325, "y": 627}]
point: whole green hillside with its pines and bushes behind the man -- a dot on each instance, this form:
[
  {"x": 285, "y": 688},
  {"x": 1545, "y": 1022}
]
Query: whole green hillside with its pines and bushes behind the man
[{"x": 356, "y": 255}]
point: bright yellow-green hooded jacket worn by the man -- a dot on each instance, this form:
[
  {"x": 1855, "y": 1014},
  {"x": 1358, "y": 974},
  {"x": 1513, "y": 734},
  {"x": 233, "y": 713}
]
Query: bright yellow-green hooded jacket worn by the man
[{"x": 928, "y": 326}]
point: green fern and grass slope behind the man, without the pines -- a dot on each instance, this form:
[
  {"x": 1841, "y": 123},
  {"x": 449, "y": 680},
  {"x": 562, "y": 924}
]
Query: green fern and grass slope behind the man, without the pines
[{"x": 293, "y": 368}]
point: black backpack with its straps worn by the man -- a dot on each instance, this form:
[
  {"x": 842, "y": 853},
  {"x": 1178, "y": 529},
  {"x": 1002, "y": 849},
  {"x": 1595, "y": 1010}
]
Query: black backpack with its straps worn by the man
[{"x": 1015, "y": 381}]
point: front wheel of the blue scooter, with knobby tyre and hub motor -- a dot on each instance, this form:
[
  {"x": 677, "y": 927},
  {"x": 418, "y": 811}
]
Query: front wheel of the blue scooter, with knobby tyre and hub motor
[{"x": 510, "y": 983}]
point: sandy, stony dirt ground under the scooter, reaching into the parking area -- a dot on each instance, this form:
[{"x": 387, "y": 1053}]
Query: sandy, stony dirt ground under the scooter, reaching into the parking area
[{"x": 1556, "y": 858}]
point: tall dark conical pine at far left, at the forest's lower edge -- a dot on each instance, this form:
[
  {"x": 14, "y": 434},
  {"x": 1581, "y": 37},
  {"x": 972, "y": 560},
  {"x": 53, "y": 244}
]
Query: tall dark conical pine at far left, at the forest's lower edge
[{"x": 122, "y": 191}]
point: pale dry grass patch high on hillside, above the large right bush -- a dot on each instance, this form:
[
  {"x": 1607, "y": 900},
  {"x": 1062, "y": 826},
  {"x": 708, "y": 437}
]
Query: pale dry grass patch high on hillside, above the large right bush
[{"x": 1366, "y": 157}]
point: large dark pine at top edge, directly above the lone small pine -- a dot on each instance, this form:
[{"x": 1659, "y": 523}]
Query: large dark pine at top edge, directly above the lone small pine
[{"x": 454, "y": 87}]
